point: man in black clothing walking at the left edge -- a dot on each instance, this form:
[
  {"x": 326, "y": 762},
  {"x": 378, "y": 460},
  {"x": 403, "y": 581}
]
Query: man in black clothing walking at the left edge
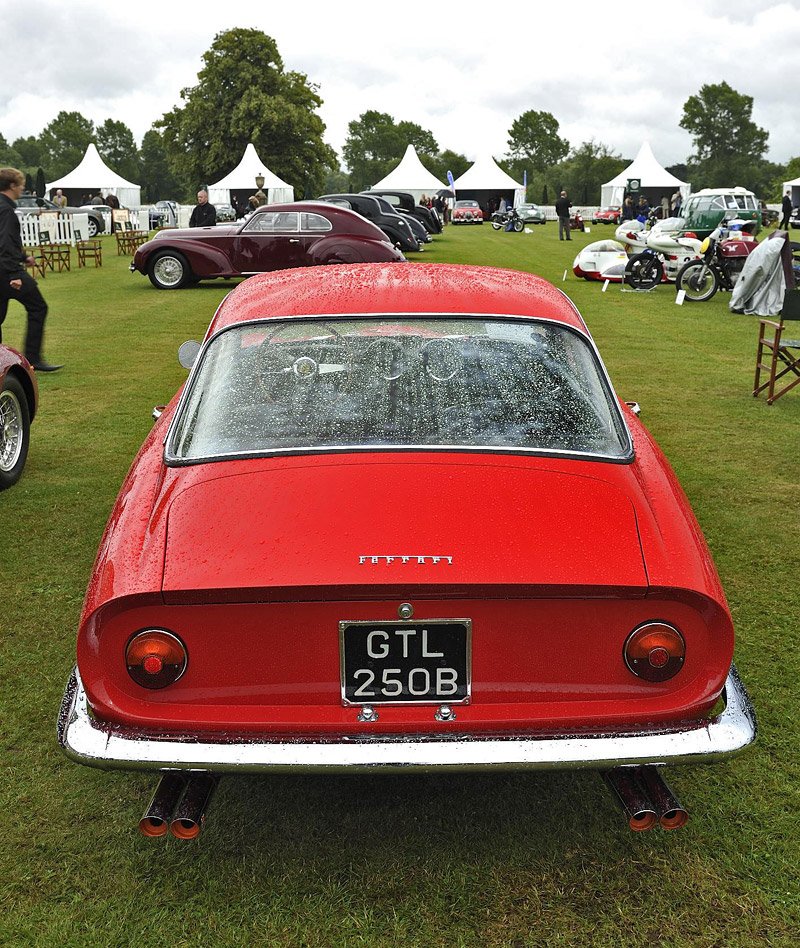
[{"x": 15, "y": 282}]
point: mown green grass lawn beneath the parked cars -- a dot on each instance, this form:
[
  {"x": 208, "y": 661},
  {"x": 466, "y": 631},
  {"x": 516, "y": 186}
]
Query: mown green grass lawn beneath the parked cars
[{"x": 480, "y": 860}]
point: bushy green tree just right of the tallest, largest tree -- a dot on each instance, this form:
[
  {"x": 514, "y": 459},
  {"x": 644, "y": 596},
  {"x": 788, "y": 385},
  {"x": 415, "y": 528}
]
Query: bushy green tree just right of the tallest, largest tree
[{"x": 376, "y": 142}]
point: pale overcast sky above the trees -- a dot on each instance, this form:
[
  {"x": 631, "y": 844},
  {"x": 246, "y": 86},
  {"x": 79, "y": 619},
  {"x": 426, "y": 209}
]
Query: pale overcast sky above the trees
[{"x": 616, "y": 72}]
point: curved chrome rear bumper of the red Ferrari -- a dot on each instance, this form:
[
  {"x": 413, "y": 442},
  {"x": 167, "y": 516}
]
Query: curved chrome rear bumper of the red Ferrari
[{"x": 88, "y": 742}]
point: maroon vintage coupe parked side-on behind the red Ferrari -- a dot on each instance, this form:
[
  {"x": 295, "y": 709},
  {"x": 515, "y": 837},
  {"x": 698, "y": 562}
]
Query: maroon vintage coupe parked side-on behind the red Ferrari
[{"x": 274, "y": 237}]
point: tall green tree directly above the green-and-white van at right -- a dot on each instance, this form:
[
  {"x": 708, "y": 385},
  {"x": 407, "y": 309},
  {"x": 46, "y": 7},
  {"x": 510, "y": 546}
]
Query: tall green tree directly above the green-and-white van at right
[{"x": 729, "y": 146}]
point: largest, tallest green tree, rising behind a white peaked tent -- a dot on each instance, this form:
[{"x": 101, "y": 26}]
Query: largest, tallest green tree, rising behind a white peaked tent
[{"x": 243, "y": 95}]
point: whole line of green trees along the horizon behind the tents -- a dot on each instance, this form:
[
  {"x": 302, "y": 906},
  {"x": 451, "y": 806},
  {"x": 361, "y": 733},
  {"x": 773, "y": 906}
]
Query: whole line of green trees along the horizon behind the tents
[{"x": 244, "y": 93}]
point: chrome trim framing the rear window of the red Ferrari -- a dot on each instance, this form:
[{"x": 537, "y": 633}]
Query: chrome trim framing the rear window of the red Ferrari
[{"x": 626, "y": 457}]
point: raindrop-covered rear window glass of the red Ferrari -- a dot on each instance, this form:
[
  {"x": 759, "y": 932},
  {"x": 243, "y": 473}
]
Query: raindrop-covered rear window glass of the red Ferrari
[{"x": 398, "y": 382}]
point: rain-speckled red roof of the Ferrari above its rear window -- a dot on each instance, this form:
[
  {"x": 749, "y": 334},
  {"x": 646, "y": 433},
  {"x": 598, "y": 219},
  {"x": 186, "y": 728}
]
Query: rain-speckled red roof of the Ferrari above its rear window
[{"x": 384, "y": 288}]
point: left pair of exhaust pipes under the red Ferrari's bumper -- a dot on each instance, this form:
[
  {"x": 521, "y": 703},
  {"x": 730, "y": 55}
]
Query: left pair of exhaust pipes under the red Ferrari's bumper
[{"x": 178, "y": 805}]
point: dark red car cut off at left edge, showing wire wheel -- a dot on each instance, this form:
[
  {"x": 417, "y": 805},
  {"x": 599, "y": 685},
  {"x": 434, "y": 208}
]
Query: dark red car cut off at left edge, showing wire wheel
[{"x": 19, "y": 398}]
